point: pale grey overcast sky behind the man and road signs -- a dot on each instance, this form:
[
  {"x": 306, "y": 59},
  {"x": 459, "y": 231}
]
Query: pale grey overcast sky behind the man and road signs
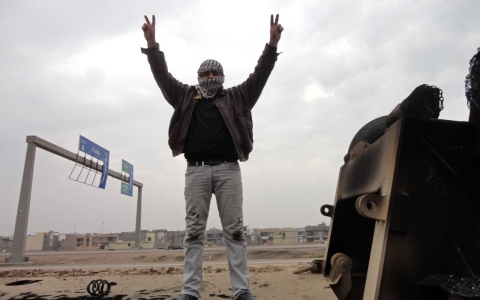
[{"x": 71, "y": 68}]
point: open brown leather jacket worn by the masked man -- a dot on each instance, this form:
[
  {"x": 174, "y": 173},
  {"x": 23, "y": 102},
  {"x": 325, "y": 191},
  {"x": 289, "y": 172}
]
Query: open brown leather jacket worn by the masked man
[{"x": 234, "y": 104}]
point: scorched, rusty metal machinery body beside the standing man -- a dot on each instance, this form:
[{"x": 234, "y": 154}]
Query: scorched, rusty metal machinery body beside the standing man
[{"x": 405, "y": 220}]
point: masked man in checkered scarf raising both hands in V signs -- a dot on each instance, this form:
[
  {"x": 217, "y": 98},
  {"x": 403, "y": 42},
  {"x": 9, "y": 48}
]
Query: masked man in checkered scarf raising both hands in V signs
[{"x": 212, "y": 126}]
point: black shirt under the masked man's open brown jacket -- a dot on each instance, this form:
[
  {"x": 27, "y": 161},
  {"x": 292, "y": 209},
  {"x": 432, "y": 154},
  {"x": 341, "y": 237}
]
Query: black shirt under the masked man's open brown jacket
[{"x": 208, "y": 138}]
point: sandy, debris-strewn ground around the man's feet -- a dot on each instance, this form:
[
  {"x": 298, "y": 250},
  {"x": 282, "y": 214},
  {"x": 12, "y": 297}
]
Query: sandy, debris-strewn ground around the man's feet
[{"x": 268, "y": 281}]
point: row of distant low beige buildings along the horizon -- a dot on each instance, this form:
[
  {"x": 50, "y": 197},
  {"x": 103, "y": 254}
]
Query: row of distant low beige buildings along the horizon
[{"x": 164, "y": 239}]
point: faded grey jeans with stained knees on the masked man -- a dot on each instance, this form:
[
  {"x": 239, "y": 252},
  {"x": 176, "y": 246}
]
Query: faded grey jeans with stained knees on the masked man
[{"x": 225, "y": 181}]
